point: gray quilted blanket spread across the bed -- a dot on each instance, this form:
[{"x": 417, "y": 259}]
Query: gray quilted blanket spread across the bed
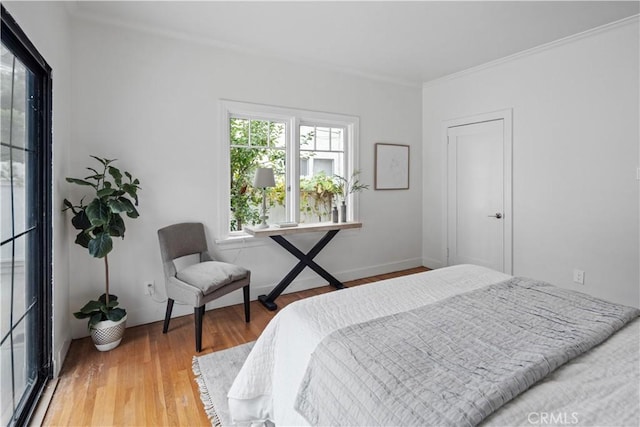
[{"x": 453, "y": 362}]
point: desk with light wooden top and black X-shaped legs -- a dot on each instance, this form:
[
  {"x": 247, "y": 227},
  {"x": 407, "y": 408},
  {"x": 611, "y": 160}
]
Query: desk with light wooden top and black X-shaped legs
[{"x": 306, "y": 260}]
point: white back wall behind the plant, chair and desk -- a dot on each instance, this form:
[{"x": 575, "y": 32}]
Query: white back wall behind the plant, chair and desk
[{"x": 153, "y": 103}]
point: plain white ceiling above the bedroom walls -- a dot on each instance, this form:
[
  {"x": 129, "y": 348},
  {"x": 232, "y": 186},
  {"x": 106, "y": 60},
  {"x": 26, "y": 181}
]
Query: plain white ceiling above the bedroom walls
[{"x": 404, "y": 42}]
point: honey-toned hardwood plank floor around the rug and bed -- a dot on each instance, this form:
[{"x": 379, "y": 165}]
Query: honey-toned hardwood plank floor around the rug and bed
[{"x": 147, "y": 380}]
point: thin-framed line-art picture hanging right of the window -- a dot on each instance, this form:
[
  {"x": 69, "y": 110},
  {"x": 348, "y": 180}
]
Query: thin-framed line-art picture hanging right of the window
[{"x": 391, "y": 167}]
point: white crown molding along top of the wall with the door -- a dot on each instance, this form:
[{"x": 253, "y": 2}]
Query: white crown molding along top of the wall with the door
[{"x": 534, "y": 50}]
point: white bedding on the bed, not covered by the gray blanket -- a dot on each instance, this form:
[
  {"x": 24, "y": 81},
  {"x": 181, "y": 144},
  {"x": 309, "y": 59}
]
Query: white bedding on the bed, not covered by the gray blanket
[{"x": 599, "y": 387}]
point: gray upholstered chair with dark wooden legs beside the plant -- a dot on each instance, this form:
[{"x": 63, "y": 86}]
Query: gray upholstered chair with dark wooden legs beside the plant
[{"x": 199, "y": 283}]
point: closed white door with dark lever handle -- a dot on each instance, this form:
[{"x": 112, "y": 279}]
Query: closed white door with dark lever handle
[{"x": 476, "y": 211}]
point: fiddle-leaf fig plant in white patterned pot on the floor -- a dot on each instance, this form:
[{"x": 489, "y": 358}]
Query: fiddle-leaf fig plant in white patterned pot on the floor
[{"x": 115, "y": 194}]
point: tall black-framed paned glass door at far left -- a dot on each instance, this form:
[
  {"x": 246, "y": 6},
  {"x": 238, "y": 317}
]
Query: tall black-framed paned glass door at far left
[{"x": 25, "y": 249}]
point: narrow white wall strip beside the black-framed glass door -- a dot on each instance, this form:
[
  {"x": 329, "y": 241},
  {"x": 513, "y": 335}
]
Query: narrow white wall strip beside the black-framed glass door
[{"x": 47, "y": 26}]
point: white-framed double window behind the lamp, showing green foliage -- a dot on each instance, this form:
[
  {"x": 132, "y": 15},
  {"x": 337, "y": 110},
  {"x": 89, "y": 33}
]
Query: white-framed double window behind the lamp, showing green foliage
[{"x": 306, "y": 150}]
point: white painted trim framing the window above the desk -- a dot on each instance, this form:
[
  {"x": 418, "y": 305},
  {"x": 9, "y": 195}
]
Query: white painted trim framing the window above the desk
[{"x": 292, "y": 117}]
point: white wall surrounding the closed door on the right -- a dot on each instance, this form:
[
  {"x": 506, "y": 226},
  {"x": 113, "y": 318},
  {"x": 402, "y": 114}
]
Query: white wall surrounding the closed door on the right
[{"x": 575, "y": 154}]
